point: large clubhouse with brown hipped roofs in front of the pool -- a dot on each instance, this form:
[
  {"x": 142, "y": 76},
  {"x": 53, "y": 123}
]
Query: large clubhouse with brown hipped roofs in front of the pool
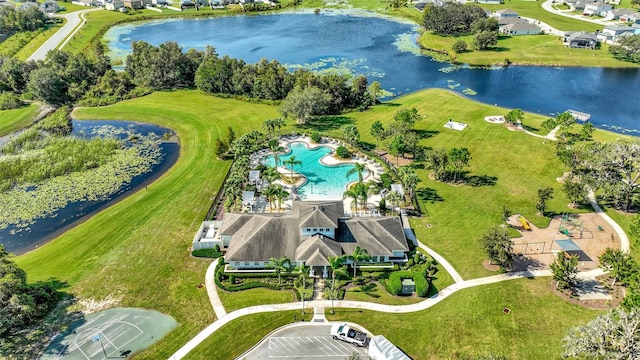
[{"x": 308, "y": 235}]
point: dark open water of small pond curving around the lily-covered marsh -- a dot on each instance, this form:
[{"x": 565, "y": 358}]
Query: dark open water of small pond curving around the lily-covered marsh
[{"x": 20, "y": 239}]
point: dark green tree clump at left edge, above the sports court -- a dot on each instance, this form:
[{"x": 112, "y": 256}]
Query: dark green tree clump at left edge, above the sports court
[{"x": 21, "y": 304}]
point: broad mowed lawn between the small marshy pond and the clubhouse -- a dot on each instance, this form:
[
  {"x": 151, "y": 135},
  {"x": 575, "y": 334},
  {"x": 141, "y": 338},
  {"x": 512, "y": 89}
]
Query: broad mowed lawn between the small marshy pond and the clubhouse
[{"x": 137, "y": 250}]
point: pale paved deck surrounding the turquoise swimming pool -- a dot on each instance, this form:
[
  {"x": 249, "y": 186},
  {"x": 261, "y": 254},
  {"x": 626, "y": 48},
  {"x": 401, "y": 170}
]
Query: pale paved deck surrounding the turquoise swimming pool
[{"x": 374, "y": 171}]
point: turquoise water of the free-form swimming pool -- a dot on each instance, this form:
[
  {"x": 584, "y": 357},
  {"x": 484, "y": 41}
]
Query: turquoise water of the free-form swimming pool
[{"x": 323, "y": 182}]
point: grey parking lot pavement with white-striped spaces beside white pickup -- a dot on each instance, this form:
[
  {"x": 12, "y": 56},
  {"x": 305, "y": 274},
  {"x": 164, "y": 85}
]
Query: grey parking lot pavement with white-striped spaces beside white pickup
[{"x": 306, "y": 341}]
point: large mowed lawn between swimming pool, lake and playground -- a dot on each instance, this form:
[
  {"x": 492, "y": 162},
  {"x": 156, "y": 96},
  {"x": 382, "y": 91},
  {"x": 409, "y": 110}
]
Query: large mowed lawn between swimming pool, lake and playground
[{"x": 509, "y": 166}]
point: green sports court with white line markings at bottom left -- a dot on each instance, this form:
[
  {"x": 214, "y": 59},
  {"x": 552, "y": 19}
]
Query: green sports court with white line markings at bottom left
[{"x": 113, "y": 333}]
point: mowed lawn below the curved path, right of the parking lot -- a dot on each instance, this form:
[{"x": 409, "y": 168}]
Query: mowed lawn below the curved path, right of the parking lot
[{"x": 471, "y": 322}]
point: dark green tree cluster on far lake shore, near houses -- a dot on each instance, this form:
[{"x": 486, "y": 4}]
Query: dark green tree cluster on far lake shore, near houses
[{"x": 452, "y": 19}]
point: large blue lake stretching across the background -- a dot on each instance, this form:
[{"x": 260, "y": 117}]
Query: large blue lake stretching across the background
[{"x": 386, "y": 50}]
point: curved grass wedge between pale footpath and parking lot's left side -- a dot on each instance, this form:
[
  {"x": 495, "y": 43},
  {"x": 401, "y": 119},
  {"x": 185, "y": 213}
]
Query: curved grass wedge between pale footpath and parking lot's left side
[{"x": 236, "y": 337}]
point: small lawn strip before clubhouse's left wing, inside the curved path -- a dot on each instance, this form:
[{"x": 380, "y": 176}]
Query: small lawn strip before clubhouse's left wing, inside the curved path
[{"x": 259, "y": 296}]
